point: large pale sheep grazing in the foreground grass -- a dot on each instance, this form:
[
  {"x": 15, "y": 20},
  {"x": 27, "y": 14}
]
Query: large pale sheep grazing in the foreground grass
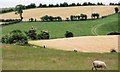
[{"x": 99, "y": 64}]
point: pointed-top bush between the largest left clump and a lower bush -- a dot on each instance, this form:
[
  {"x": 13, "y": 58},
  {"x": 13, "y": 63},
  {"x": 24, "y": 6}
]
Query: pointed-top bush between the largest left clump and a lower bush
[{"x": 32, "y": 34}]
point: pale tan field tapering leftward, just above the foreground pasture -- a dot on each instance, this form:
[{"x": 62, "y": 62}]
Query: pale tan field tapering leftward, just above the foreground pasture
[{"x": 98, "y": 44}]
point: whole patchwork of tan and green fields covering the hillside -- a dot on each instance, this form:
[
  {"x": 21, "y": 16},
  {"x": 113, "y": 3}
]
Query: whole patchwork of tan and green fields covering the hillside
[{"x": 90, "y": 38}]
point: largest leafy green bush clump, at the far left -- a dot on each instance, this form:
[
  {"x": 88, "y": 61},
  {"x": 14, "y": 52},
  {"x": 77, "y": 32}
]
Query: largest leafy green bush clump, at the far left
[{"x": 16, "y": 37}]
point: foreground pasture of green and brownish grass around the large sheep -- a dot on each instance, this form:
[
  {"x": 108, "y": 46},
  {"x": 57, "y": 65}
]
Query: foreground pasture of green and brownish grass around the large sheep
[{"x": 29, "y": 58}]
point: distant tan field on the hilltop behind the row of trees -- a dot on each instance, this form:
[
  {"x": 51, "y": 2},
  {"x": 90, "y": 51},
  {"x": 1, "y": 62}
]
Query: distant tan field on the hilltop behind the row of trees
[{"x": 64, "y": 12}]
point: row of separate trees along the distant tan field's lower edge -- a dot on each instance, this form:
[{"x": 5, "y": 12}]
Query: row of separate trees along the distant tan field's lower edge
[{"x": 19, "y": 10}]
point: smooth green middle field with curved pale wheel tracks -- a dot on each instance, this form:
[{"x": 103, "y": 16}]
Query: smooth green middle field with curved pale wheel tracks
[{"x": 79, "y": 28}]
